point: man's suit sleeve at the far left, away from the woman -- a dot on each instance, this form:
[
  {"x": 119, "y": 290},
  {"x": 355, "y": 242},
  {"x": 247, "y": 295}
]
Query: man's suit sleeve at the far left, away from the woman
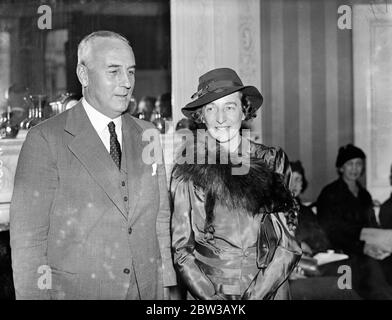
[{"x": 36, "y": 181}]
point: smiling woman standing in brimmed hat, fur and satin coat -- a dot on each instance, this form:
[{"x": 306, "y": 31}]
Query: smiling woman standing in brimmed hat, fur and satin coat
[{"x": 230, "y": 232}]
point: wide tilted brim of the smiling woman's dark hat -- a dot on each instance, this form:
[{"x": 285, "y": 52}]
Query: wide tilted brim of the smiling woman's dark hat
[{"x": 253, "y": 94}]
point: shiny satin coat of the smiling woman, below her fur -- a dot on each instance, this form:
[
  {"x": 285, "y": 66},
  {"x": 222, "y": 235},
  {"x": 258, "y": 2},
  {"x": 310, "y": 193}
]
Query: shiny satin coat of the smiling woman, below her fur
[{"x": 249, "y": 257}]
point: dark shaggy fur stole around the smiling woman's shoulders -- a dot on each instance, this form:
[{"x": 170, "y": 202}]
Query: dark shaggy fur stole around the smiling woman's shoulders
[{"x": 258, "y": 190}]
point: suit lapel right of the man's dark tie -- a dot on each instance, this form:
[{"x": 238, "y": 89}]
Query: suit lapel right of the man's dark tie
[{"x": 133, "y": 147}]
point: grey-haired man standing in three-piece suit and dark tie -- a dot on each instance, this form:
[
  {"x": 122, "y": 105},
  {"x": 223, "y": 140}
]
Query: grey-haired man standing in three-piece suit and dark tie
[{"x": 89, "y": 218}]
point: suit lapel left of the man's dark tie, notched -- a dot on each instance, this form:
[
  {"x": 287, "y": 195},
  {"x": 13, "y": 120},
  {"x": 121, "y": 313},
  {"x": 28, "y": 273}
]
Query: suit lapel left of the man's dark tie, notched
[{"x": 89, "y": 149}]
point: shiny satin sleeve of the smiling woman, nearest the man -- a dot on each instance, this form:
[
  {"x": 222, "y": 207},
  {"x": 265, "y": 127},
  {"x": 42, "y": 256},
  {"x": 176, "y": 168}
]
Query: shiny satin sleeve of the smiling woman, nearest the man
[{"x": 183, "y": 244}]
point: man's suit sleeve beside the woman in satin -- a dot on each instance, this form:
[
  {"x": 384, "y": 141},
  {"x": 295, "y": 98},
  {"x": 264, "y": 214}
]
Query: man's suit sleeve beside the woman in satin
[{"x": 163, "y": 230}]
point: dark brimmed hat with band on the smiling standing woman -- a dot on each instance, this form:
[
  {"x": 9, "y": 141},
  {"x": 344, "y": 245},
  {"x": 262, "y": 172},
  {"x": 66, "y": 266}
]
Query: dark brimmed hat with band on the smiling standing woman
[{"x": 218, "y": 83}]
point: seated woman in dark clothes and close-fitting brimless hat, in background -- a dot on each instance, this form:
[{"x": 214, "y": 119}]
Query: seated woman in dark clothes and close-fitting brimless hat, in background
[{"x": 345, "y": 211}]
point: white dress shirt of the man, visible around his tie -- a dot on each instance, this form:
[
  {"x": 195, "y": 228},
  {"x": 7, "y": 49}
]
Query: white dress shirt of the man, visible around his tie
[{"x": 100, "y": 123}]
